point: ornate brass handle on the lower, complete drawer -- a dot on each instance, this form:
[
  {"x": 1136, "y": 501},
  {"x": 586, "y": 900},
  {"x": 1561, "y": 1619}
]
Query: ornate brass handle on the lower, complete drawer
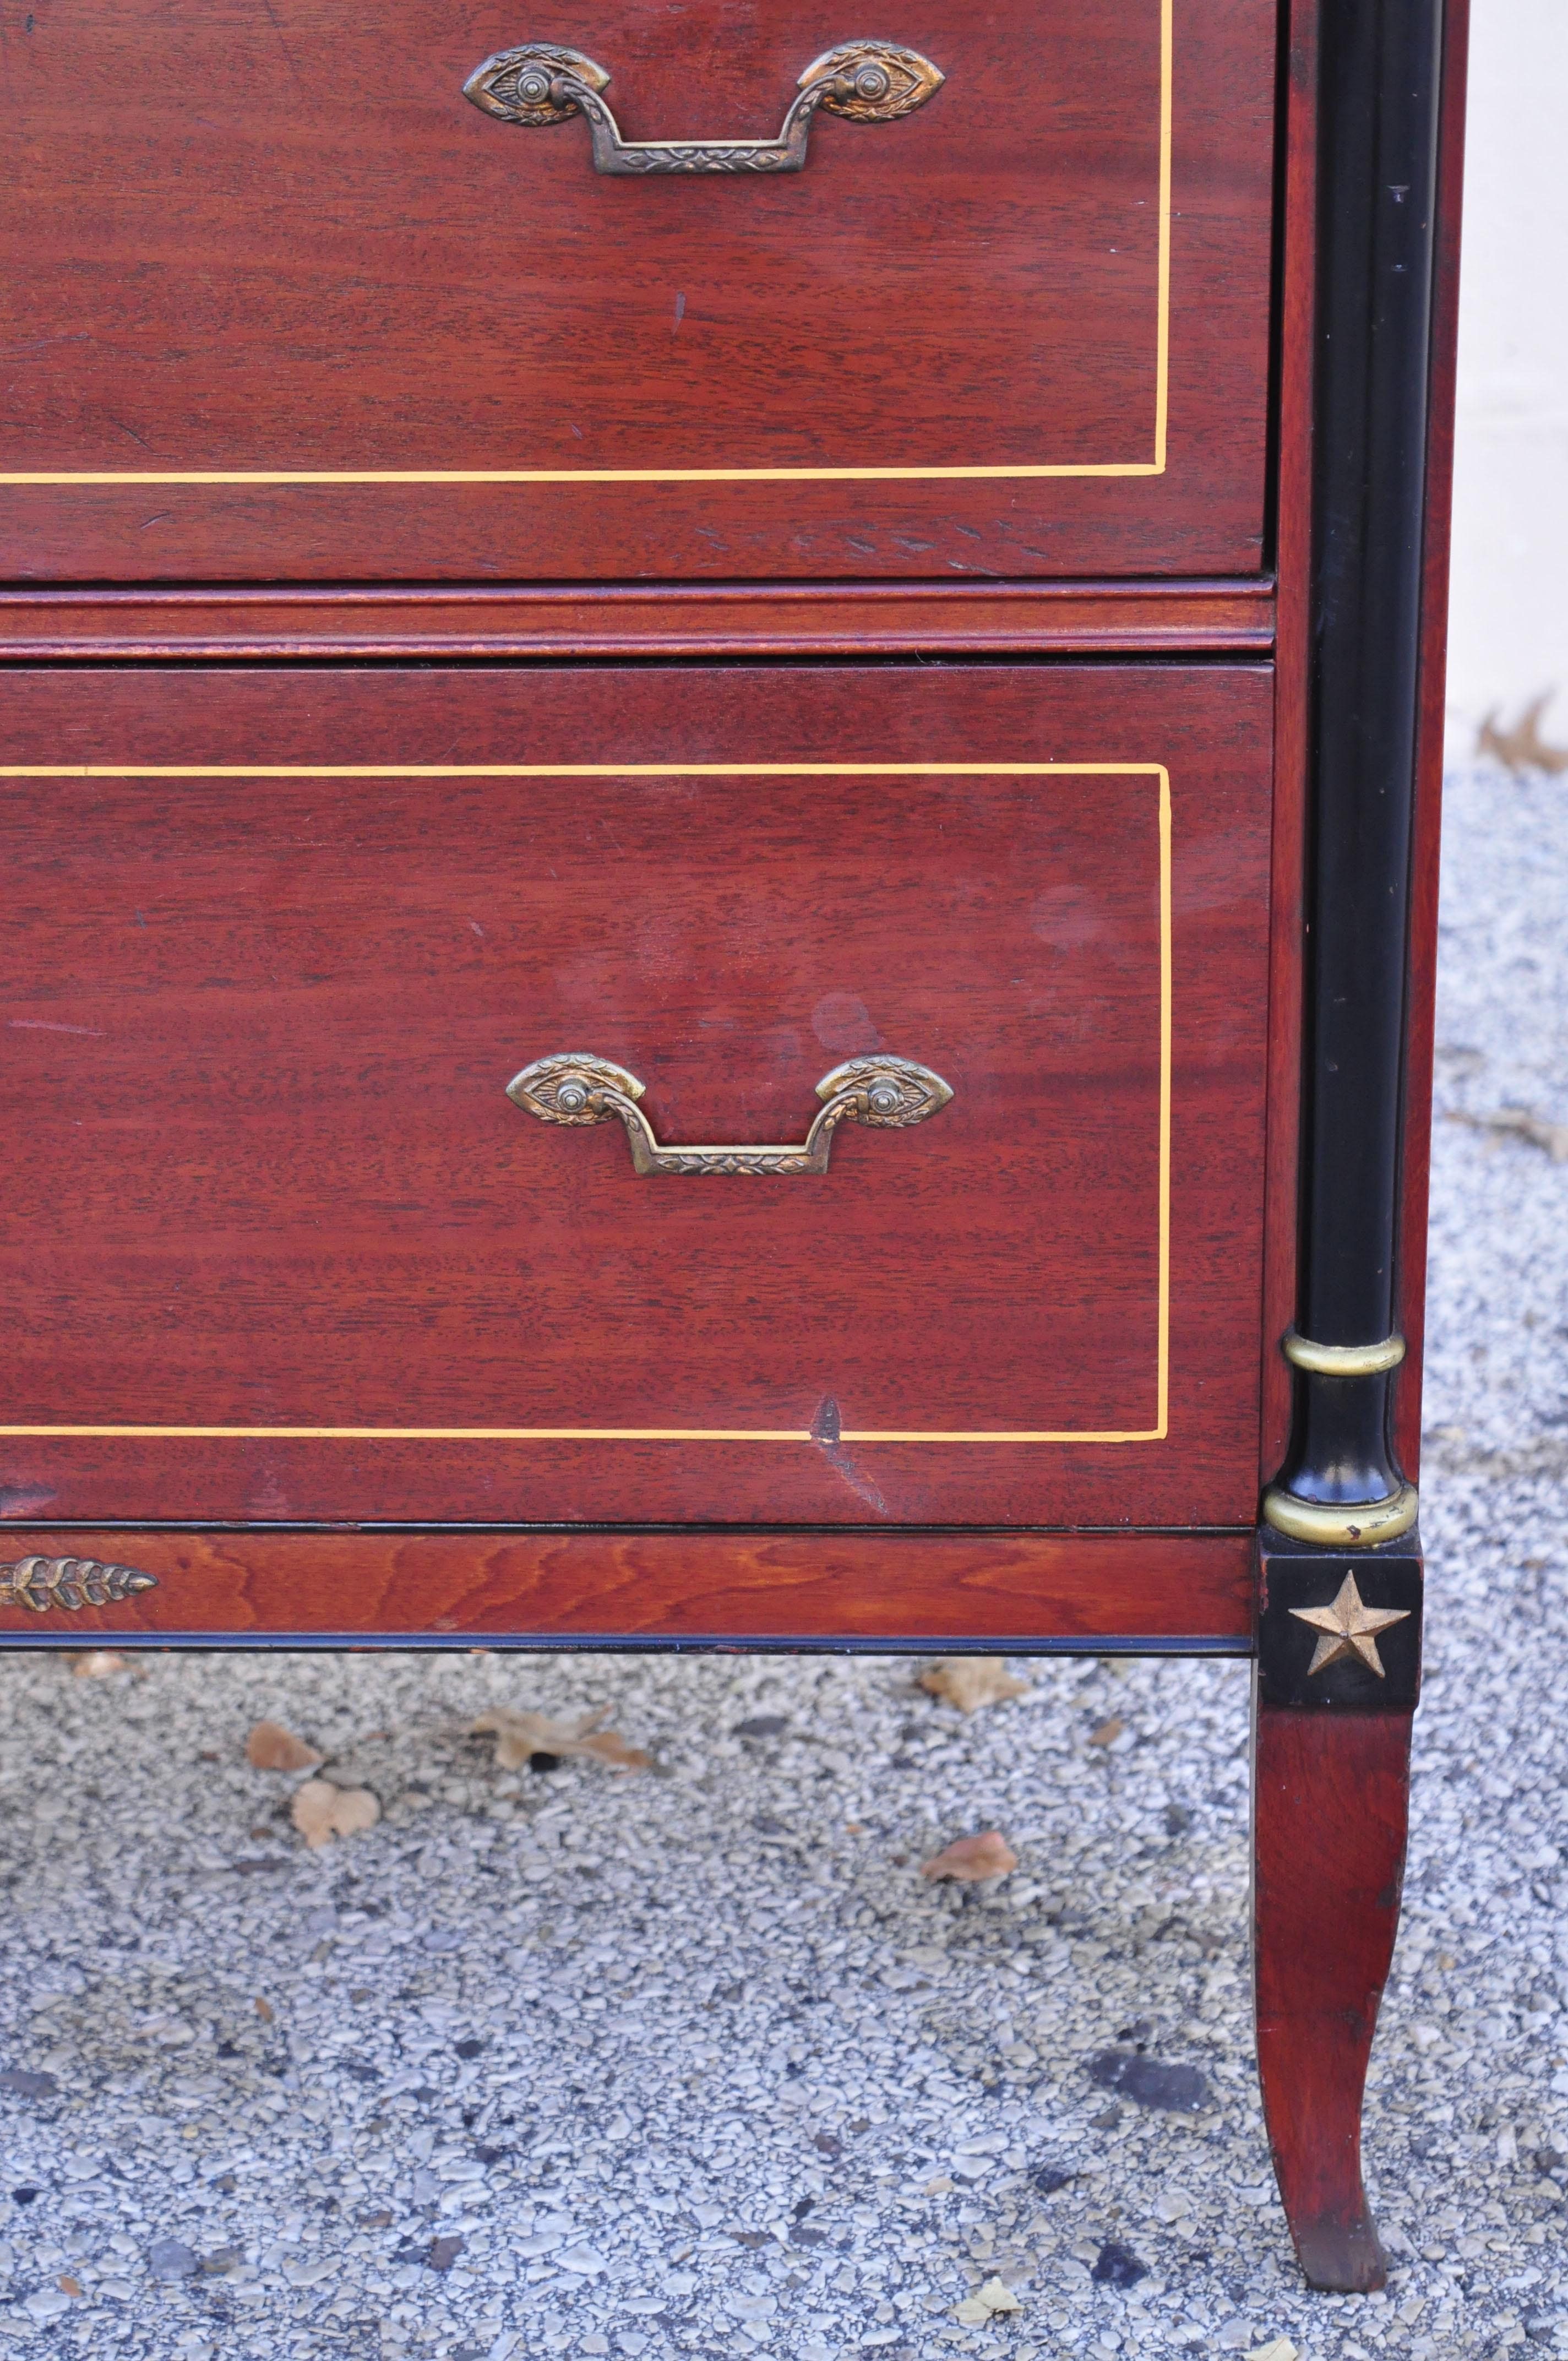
[{"x": 582, "y": 1090}]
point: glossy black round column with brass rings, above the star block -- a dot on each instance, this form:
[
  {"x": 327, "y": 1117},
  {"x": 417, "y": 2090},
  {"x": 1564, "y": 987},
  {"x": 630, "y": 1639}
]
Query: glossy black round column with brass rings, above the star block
[{"x": 1378, "y": 169}]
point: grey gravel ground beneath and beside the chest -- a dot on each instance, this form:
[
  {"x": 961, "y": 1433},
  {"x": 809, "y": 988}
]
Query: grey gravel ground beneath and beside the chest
[{"x": 695, "y": 2062}]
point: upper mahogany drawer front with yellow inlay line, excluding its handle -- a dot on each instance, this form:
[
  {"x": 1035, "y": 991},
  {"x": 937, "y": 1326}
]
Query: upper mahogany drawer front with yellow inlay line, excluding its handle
[{"x": 287, "y": 306}]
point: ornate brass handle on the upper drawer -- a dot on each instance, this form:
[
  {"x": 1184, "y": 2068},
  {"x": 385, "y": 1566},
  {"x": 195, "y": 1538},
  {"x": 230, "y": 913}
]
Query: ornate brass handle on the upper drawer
[{"x": 865, "y": 81}]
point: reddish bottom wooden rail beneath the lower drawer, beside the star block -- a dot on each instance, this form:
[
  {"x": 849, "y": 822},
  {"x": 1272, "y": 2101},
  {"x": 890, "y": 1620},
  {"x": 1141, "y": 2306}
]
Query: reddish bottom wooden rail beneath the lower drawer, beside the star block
[{"x": 615, "y": 1590}]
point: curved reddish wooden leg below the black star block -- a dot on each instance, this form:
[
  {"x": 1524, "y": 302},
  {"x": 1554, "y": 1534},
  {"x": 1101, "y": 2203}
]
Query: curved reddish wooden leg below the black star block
[{"x": 1331, "y": 1805}]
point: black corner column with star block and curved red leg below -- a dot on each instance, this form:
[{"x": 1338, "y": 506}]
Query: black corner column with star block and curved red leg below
[{"x": 1340, "y": 1571}]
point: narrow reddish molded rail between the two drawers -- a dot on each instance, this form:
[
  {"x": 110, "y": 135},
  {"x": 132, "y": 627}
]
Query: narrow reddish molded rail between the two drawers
[{"x": 703, "y": 620}]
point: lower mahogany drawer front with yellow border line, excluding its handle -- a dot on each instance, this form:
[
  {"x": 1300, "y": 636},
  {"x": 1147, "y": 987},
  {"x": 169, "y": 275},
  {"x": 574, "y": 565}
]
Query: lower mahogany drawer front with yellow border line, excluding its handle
[{"x": 285, "y": 1250}]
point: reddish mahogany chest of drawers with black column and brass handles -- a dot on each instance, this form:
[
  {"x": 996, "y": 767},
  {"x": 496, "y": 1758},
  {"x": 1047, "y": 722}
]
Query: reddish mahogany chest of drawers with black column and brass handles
[{"x": 721, "y": 830}]
